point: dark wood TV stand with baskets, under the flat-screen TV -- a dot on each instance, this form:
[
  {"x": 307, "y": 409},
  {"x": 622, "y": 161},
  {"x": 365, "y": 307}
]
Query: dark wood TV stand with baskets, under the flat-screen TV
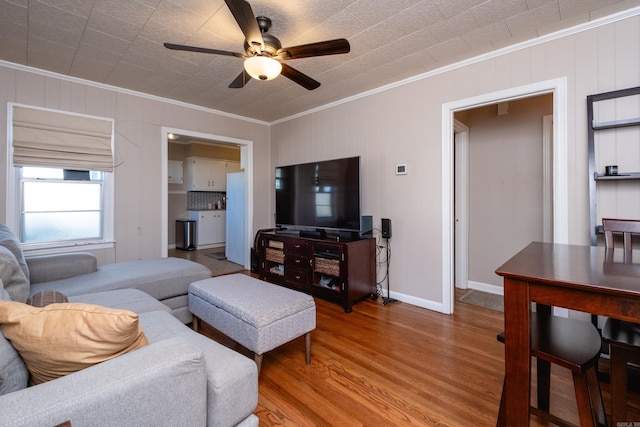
[{"x": 340, "y": 271}]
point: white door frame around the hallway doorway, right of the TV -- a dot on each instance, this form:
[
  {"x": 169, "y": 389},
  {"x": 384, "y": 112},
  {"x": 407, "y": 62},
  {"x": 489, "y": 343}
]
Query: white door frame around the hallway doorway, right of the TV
[{"x": 558, "y": 88}]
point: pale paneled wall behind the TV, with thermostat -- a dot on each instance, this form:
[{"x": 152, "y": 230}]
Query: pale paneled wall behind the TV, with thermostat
[{"x": 403, "y": 125}]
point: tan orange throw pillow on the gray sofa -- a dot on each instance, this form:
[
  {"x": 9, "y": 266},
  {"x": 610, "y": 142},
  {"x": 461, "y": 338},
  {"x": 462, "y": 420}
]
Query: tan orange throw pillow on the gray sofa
[{"x": 59, "y": 339}]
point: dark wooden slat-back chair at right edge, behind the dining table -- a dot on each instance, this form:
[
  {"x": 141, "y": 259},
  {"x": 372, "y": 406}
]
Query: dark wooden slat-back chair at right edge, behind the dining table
[{"x": 623, "y": 337}]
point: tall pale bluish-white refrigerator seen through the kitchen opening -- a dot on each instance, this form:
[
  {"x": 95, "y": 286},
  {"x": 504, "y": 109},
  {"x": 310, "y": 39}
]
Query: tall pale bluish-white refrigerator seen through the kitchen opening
[{"x": 236, "y": 212}]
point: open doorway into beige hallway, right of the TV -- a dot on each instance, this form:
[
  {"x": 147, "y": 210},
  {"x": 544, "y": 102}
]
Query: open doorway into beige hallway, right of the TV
[{"x": 501, "y": 169}]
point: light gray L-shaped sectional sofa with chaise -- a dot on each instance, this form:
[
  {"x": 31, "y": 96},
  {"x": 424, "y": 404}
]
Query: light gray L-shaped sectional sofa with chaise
[{"x": 180, "y": 379}]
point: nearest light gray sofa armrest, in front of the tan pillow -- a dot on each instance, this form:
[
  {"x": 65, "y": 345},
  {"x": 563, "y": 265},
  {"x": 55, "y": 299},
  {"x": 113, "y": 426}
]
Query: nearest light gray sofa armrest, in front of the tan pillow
[{"x": 163, "y": 383}]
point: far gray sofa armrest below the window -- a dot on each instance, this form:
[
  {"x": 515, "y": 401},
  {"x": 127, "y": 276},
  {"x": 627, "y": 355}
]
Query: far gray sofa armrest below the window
[{"x": 46, "y": 268}]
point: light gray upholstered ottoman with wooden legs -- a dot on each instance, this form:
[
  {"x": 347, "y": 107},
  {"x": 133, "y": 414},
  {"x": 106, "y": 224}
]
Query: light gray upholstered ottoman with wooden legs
[{"x": 256, "y": 314}]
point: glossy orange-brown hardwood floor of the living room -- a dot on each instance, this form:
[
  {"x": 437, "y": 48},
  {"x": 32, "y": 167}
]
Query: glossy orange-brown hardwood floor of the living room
[{"x": 396, "y": 365}]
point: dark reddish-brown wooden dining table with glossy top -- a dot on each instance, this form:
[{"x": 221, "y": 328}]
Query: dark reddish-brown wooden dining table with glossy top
[{"x": 589, "y": 279}]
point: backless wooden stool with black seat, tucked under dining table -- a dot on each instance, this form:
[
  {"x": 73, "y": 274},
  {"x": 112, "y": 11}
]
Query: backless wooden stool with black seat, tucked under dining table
[{"x": 572, "y": 344}]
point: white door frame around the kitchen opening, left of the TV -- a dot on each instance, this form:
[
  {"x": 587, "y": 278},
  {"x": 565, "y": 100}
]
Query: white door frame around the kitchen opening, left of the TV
[{"x": 246, "y": 162}]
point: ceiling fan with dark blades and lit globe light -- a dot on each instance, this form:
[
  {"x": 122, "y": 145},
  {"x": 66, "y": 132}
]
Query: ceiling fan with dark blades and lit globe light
[{"x": 264, "y": 50}]
